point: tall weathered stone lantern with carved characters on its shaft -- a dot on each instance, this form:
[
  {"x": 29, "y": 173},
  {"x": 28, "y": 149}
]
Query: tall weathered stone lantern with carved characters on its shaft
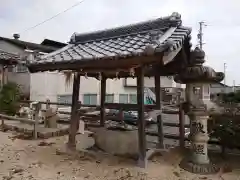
[{"x": 198, "y": 79}]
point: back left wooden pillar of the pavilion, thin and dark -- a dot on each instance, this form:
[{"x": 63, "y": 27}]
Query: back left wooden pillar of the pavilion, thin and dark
[{"x": 102, "y": 103}]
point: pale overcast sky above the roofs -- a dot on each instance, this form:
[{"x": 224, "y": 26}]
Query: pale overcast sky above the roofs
[{"x": 221, "y": 36}]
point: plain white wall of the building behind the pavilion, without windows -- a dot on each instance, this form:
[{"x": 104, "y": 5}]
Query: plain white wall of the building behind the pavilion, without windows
[{"x": 51, "y": 84}]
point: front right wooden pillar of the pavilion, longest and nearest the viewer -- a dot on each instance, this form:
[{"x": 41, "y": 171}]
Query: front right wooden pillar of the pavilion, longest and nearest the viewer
[{"x": 142, "y": 161}]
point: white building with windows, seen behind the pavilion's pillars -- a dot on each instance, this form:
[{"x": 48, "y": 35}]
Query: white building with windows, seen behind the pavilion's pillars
[{"x": 52, "y": 85}]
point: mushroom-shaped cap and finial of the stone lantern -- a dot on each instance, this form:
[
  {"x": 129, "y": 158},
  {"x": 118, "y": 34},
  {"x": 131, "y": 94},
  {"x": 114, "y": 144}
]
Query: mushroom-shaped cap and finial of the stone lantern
[{"x": 196, "y": 72}]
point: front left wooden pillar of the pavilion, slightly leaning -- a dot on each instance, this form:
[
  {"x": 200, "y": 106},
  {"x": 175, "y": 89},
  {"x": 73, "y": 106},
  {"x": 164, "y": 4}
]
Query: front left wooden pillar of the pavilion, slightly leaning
[{"x": 74, "y": 121}]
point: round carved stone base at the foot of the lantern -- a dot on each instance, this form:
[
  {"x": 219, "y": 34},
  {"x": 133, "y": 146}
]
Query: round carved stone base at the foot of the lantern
[{"x": 202, "y": 169}]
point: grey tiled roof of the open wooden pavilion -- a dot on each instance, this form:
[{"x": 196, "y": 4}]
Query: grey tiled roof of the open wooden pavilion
[{"x": 146, "y": 38}]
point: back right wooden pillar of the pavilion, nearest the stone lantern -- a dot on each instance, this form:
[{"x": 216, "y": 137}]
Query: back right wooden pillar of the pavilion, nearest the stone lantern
[{"x": 158, "y": 93}]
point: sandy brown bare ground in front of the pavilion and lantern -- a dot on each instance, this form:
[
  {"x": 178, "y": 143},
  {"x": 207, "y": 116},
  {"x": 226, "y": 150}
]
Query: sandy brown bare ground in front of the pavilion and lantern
[{"x": 41, "y": 160}]
